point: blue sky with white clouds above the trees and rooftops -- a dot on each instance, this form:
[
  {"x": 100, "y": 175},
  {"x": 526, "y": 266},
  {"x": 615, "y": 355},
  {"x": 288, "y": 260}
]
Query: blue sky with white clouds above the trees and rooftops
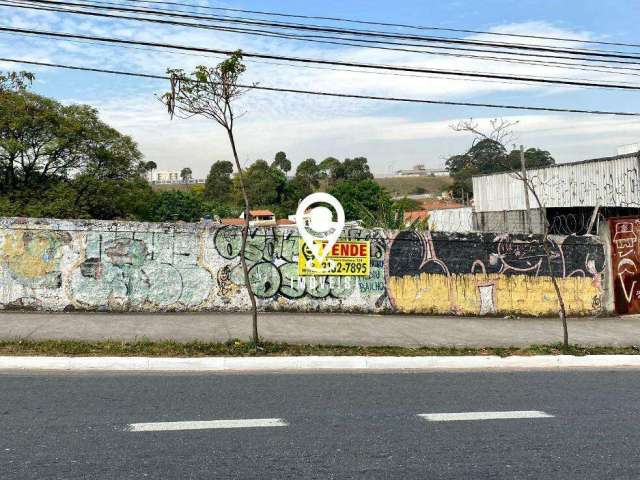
[{"x": 391, "y": 135}]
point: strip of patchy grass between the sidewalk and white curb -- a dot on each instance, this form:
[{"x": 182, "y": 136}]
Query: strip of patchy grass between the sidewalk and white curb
[{"x": 237, "y": 348}]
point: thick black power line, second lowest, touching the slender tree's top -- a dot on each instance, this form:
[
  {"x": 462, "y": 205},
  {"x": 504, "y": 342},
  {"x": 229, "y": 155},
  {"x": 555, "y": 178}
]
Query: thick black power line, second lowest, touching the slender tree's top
[{"x": 328, "y": 62}]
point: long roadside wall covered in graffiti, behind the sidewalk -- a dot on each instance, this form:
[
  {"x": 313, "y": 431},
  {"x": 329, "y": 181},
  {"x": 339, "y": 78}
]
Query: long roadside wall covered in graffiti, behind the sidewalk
[{"x": 98, "y": 265}]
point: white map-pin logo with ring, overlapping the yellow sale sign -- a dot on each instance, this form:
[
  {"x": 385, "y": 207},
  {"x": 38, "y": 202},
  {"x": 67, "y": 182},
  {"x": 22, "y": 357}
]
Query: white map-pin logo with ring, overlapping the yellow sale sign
[{"x": 320, "y": 222}]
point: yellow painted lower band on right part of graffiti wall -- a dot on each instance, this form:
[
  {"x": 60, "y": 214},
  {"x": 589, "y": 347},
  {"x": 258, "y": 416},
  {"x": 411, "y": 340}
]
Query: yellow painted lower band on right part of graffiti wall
[{"x": 471, "y": 294}]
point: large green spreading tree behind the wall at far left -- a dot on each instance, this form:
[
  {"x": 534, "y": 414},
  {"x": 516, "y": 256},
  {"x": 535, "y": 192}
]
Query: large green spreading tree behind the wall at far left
[{"x": 63, "y": 161}]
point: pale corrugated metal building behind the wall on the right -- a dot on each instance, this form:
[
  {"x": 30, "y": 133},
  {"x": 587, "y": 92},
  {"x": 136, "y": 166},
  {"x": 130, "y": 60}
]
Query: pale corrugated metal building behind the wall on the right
[{"x": 568, "y": 193}]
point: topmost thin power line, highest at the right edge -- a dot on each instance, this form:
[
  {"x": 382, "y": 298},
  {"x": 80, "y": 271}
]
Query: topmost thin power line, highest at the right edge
[{"x": 387, "y": 24}]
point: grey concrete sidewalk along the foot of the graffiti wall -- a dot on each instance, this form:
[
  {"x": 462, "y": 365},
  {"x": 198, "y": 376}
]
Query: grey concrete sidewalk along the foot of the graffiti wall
[{"x": 398, "y": 330}]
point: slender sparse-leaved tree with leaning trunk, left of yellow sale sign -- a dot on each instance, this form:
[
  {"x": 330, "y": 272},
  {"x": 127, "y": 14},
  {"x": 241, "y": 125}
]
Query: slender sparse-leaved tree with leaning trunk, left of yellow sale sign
[{"x": 211, "y": 92}]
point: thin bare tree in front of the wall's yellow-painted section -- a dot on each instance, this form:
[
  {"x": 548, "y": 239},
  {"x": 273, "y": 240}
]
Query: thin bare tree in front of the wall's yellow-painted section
[{"x": 501, "y": 131}]
